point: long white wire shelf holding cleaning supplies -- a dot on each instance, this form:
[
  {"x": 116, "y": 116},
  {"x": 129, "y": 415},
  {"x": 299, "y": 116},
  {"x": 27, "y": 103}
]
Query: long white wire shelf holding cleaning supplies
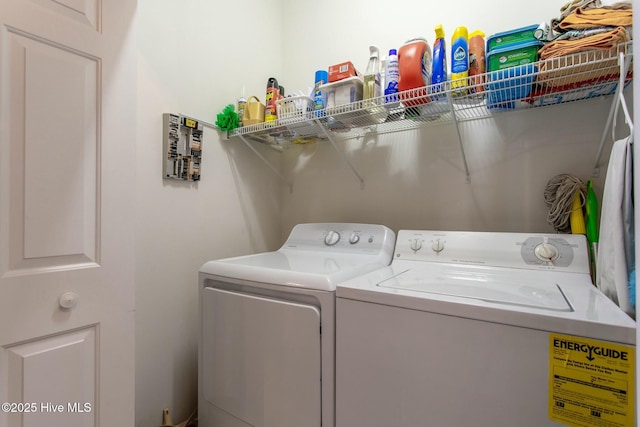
[{"x": 544, "y": 83}]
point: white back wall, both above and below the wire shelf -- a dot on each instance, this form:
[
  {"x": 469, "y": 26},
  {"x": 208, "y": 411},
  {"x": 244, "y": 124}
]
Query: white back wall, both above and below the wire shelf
[{"x": 415, "y": 179}]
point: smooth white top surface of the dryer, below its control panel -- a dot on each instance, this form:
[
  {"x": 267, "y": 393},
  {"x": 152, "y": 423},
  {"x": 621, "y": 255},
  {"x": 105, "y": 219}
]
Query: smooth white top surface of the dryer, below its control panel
[{"x": 300, "y": 269}]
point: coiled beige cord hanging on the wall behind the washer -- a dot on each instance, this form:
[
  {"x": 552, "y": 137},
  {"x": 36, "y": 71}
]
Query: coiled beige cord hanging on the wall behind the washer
[{"x": 558, "y": 195}]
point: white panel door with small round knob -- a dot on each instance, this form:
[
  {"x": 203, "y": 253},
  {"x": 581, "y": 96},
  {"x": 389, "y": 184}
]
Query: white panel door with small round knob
[{"x": 67, "y": 144}]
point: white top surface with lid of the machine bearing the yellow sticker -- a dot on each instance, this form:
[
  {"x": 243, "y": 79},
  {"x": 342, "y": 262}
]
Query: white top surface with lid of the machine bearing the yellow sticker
[{"x": 553, "y": 301}]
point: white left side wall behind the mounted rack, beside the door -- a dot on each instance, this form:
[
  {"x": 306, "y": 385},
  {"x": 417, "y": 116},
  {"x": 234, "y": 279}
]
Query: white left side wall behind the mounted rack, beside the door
[{"x": 194, "y": 58}]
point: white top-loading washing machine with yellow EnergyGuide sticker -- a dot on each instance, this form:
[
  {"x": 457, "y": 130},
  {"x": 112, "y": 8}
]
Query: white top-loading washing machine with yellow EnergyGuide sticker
[{"x": 482, "y": 329}]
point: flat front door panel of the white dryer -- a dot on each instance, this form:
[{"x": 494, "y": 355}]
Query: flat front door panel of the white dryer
[{"x": 261, "y": 358}]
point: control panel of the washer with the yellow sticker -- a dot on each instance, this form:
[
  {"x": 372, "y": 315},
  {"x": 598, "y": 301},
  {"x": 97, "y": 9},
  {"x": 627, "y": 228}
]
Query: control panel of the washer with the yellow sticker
[{"x": 560, "y": 252}]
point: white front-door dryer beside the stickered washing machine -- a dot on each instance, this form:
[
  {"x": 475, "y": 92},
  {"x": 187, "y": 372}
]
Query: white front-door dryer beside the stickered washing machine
[{"x": 267, "y": 326}]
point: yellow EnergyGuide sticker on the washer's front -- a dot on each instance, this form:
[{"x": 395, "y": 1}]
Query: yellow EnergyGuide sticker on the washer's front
[{"x": 591, "y": 383}]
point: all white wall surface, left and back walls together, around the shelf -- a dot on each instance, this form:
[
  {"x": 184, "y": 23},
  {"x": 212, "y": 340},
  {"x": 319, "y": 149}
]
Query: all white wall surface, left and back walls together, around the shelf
[{"x": 196, "y": 55}]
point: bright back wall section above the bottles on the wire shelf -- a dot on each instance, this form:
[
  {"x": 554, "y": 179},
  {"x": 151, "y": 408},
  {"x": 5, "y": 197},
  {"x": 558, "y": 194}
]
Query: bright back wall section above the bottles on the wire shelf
[{"x": 321, "y": 34}]
